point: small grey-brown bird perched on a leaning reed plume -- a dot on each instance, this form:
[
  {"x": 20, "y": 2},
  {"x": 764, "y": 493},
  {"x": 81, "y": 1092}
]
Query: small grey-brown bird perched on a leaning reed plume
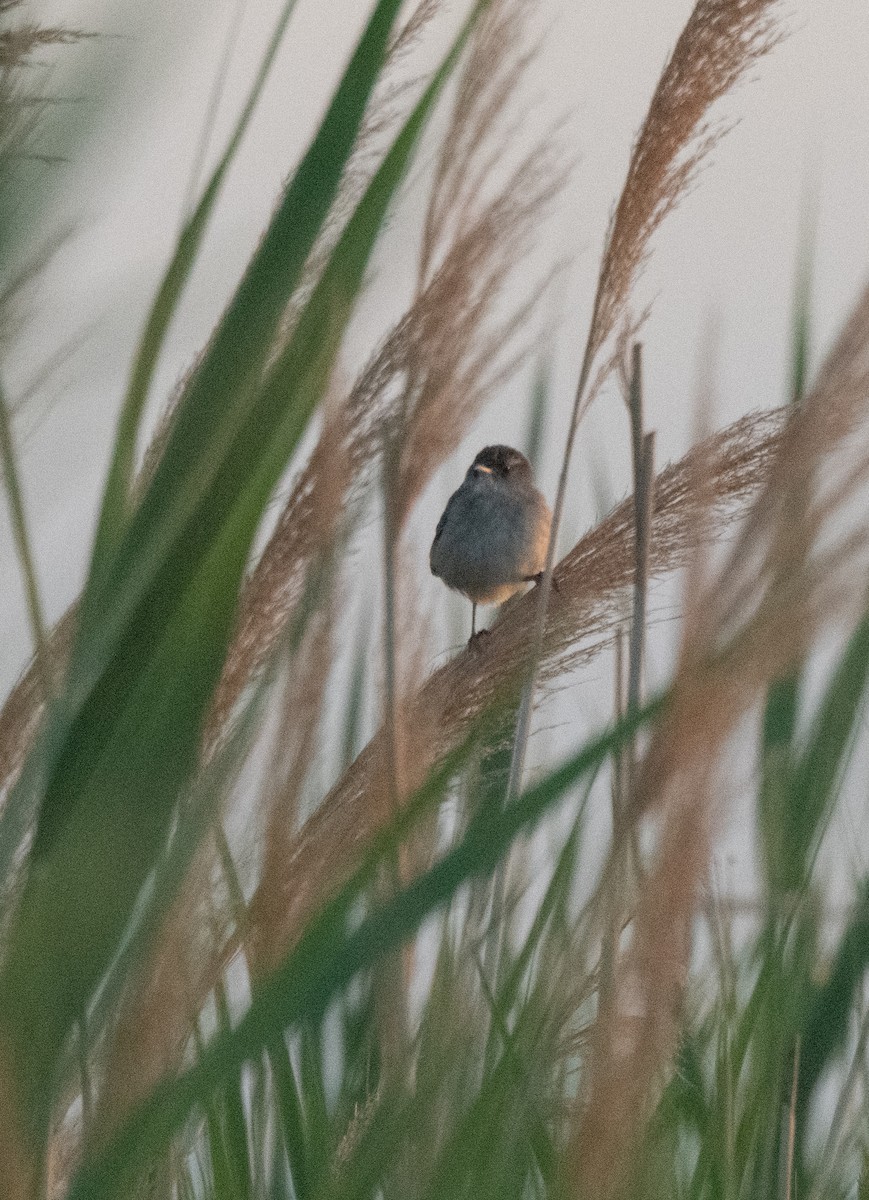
[{"x": 495, "y": 531}]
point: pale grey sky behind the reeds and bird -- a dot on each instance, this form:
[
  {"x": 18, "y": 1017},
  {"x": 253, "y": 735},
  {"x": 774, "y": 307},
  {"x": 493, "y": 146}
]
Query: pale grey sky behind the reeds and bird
[{"x": 728, "y": 256}]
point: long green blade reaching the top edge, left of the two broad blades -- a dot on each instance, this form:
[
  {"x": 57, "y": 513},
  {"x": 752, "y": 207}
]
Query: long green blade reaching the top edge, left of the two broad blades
[{"x": 217, "y": 386}]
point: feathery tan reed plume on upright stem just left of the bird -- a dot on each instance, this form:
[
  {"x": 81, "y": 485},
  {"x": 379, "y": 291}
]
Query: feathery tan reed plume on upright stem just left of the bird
[{"x": 475, "y": 236}]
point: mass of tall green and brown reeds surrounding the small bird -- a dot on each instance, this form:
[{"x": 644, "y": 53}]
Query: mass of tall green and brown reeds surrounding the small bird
[{"x": 361, "y": 997}]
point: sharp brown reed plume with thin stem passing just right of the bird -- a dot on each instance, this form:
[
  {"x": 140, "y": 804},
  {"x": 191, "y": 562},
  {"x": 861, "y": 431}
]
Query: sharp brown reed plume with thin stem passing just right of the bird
[{"x": 721, "y": 43}]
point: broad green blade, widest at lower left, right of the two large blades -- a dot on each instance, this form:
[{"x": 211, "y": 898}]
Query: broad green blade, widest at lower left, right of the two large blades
[{"x": 121, "y": 764}]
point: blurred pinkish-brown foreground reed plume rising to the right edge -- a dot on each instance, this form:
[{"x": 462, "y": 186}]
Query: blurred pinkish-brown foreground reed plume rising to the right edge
[{"x": 746, "y": 627}]
